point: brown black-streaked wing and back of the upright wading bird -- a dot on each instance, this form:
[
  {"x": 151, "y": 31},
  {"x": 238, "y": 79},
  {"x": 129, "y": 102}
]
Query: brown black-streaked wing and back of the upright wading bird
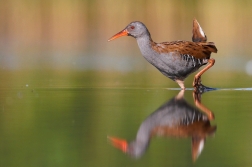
[{"x": 199, "y": 50}]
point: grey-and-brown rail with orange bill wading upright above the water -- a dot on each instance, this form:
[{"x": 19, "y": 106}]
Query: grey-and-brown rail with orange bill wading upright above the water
[{"x": 177, "y": 59}]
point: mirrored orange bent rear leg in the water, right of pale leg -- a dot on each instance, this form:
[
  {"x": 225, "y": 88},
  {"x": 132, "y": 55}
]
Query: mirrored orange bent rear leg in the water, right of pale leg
[{"x": 197, "y": 102}]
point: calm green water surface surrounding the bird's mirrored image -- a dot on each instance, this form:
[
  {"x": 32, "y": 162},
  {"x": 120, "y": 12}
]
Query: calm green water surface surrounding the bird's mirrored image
[{"x": 64, "y": 119}]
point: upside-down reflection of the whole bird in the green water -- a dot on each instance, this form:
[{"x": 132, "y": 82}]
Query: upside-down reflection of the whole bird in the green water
[{"x": 176, "y": 118}]
